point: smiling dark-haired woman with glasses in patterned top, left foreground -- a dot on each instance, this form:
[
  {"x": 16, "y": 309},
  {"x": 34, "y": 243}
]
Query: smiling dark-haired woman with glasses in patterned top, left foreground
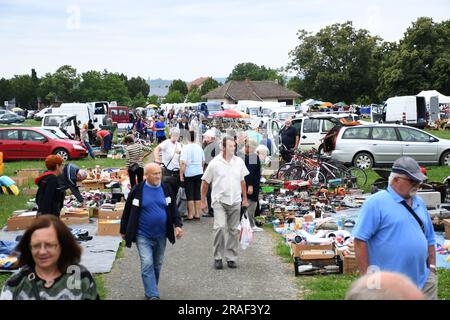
[{"x": 50, "y": 269}]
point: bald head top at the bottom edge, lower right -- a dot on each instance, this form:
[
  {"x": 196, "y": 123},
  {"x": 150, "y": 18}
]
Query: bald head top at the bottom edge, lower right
[{"x": 384, "y": 286}]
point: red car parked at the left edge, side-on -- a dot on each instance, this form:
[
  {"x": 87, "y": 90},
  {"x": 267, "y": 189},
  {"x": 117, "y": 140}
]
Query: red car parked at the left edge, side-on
[{"x": 35, "y": 143}]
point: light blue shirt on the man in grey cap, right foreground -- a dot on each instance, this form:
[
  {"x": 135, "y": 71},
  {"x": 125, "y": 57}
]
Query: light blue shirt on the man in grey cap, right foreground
[{"x": 395, "y": 241}]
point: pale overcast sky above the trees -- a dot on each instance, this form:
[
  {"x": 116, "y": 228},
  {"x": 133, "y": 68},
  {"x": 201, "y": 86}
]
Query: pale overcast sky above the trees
[{"x": 182, "y": 39}]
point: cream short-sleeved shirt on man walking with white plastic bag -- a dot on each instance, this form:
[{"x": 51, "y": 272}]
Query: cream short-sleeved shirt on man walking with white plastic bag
[{"x": 226, "y": 178}]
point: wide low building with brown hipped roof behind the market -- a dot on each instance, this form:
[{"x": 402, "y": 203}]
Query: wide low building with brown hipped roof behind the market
[{"x": 266, "y": 91}]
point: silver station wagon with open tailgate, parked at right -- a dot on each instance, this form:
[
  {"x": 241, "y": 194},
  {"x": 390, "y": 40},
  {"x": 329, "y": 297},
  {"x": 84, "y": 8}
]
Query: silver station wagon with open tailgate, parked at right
[{"x": 365, "y": 146}]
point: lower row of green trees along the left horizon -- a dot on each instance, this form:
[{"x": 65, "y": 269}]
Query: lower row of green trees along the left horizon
[{"x": 66, "y": 85}]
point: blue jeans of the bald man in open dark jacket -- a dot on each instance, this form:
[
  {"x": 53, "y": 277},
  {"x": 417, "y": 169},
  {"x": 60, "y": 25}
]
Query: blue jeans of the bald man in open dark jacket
[{"x": 151, "y": 253}]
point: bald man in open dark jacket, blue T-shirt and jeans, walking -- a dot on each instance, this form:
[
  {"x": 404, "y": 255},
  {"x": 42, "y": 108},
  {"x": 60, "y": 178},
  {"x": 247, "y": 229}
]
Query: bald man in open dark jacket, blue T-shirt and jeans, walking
[{"x": 149, "y": 218}]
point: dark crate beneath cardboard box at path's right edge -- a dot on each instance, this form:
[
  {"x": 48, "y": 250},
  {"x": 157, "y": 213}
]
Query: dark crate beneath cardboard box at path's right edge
[{"x": 315, "y": 267}]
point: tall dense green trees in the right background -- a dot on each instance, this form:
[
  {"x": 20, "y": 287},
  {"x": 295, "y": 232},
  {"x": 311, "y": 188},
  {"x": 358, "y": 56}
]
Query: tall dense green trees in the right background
[{"x": 342, "y": 63}]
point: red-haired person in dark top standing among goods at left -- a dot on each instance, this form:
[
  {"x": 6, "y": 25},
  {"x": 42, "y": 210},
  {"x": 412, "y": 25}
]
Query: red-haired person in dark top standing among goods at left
[{"x": 50, "y": 197}]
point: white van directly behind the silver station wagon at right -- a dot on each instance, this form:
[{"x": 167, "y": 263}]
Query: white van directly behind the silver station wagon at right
[{"x": 410, "y": 110}]
